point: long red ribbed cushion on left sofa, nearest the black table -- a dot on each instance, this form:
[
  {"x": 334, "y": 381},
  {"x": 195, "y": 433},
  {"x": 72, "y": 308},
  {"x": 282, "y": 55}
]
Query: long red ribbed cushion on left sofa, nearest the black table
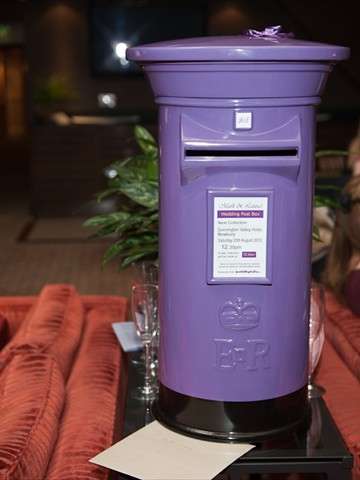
[{"x": 98, "y": 375}]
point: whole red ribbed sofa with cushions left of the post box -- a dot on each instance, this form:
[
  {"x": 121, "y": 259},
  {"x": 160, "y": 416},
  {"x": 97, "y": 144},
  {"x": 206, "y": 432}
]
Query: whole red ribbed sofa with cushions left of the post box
[{"x": 62, "y": 380}]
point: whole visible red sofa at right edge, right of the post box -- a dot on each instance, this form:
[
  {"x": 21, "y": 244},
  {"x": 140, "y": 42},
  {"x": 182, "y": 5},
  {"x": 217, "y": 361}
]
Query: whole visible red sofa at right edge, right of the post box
[{"x": 339, "y": 373}]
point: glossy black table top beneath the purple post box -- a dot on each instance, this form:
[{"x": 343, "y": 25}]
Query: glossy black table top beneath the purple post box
[{"x": 320, "y": 441}]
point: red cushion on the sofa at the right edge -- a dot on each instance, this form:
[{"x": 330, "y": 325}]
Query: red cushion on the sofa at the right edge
[{"x": 343, "y": 331}]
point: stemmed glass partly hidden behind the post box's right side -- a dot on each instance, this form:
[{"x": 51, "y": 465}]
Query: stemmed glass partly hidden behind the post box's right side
[{"x": 316, "y": 336}]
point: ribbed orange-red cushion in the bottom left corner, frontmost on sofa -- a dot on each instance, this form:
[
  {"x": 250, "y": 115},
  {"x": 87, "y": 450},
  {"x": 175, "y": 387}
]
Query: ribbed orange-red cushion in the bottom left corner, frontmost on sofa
[{"x": 31, "y": 398}]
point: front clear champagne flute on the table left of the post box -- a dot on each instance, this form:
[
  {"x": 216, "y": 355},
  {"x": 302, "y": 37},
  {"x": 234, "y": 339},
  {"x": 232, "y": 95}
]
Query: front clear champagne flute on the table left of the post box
[{"x": 144, "y": 309}]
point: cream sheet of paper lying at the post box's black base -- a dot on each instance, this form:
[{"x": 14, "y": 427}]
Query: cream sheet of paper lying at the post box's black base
[{"x": 157, "y": 453}]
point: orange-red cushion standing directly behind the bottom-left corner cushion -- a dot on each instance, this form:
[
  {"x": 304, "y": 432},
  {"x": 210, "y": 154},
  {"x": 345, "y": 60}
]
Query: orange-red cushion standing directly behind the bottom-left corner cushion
[{"x": 53, "y": 325}]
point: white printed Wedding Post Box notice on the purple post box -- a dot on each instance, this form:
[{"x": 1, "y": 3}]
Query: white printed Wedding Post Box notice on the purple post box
[{"x": 240, "y": 237}]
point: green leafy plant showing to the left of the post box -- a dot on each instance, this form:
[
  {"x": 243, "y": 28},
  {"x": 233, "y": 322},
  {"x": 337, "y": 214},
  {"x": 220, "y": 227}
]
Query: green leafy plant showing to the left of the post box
[{"x": 134, "y": 182}]
